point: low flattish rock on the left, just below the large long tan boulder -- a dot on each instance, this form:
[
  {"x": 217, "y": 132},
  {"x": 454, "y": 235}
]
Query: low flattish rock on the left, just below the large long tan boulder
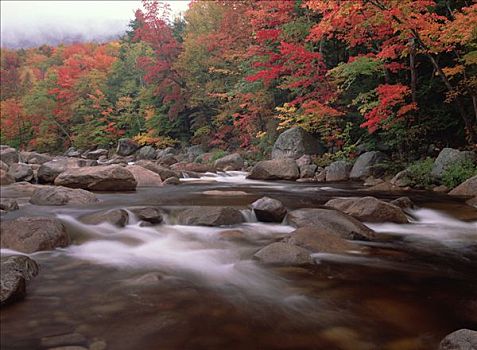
[{"x": 58, "y": 195}]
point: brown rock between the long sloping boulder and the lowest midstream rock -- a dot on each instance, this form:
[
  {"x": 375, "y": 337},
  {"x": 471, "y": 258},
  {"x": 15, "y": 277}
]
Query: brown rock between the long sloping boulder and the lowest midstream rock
[{"x": 319, "y": 239}]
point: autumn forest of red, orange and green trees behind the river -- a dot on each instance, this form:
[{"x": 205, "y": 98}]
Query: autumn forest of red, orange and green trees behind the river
[{"x": 393, "y": 75}]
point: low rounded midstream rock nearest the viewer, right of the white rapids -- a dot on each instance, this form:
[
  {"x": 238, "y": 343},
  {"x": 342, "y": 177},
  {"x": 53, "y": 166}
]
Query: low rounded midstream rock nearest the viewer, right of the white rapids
[{"x": 280, "y": 253}]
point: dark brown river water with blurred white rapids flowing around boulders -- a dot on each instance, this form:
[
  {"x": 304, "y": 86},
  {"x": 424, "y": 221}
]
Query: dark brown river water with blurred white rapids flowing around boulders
[{"x": 187, "y": 287}]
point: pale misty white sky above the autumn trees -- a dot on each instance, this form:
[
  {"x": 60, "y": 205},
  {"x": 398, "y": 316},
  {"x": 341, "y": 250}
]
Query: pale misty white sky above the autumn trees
[{"x": 33, "y": 23}]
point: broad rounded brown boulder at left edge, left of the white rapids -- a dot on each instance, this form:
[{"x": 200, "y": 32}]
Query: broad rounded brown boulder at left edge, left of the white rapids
[{"x": 32, "y": 234}]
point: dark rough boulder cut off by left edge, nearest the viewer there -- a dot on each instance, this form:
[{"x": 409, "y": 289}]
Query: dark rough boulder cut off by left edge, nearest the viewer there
[{"x": 15, "y": 271}]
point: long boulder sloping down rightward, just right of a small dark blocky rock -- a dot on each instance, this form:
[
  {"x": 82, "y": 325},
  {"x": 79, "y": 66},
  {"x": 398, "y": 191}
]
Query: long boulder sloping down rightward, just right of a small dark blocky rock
[{"x": 334, "y": 221}]
